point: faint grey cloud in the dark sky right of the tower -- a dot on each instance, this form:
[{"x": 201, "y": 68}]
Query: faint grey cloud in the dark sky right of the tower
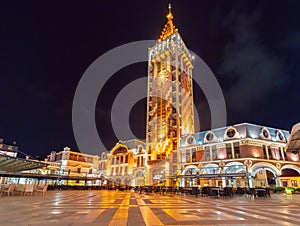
[{"x": 247, "y": 61}]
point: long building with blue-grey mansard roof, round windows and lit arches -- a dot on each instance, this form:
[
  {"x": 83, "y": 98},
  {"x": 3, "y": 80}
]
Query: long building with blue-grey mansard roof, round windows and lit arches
[{"x": 258, "y": 151}]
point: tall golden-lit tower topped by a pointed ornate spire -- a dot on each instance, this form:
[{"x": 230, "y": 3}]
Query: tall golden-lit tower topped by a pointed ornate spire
[{"x": 170, "y": 111}]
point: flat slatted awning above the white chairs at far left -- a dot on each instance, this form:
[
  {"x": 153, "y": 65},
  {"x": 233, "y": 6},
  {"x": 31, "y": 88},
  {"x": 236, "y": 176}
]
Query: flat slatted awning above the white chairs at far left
[{"x": 14, "y": 164}]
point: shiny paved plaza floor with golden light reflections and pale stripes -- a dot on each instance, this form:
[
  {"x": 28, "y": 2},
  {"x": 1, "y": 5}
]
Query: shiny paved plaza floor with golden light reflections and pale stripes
[{"x": 130, "y": 208}]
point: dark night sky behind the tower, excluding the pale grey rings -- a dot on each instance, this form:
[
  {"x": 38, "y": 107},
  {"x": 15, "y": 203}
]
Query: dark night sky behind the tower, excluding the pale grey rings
[{"x": 253, "y": 48}]
